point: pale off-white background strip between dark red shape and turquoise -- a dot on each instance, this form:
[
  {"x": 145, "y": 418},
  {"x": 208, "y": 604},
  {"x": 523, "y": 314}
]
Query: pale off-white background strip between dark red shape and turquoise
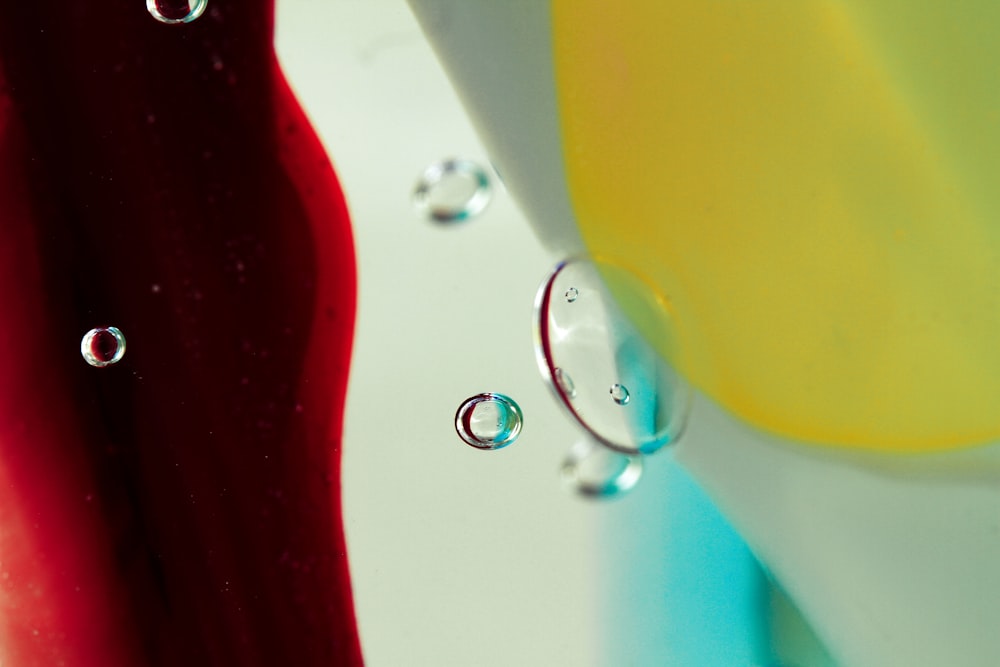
[{"x": 458, "y": 557}]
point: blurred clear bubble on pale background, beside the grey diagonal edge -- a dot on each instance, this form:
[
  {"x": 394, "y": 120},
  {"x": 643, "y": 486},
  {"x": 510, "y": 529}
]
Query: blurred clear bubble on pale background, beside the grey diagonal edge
[{"x": 452, "y": 191}]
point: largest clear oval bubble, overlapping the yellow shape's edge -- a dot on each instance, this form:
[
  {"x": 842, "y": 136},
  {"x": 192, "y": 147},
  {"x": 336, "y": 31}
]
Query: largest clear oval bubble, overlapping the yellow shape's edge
[{"x": 594, "y": 342}]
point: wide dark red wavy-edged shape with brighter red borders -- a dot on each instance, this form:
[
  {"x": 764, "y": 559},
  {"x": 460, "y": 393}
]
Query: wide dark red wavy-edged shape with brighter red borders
[{"x": 181, "y": 507}]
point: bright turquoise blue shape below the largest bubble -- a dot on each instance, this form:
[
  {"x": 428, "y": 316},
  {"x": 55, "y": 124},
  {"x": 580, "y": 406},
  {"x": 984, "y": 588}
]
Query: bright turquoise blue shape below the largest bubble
[{"x": 679, "y": 587}]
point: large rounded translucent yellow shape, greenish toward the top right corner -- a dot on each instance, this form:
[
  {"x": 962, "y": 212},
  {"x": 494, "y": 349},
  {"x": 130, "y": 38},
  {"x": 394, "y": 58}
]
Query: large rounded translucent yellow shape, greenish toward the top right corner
[{"x": 810, "y": 185}]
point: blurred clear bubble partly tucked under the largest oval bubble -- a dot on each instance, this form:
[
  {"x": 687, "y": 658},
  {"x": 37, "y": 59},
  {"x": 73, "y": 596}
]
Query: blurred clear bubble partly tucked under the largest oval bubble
[{"x": 594, "y": 471}]
